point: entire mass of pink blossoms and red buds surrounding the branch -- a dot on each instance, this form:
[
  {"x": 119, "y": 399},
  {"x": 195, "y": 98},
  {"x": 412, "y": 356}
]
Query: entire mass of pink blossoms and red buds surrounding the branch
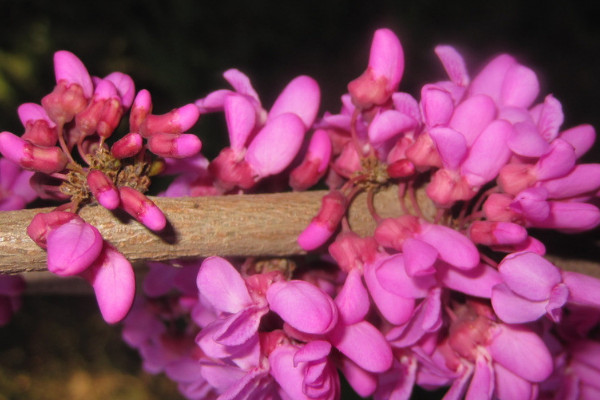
[{"x": 459, "y": 297}]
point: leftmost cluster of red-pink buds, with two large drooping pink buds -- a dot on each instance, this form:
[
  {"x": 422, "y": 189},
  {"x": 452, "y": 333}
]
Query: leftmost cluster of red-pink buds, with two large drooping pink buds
[{"x": 65, "y": 148}]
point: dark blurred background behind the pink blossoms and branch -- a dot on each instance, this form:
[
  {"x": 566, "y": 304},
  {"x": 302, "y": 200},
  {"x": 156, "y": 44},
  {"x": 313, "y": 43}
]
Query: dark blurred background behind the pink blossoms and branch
[{"x": 58, "y": 347}]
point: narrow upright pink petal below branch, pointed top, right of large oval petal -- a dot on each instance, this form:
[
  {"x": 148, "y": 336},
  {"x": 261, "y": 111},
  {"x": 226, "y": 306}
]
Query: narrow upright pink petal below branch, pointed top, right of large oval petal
[{"x": 353, "y": 300}]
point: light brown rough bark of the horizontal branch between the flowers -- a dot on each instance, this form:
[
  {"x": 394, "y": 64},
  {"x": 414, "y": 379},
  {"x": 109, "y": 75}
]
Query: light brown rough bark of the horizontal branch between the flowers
[{"x": 244, "y": 225}]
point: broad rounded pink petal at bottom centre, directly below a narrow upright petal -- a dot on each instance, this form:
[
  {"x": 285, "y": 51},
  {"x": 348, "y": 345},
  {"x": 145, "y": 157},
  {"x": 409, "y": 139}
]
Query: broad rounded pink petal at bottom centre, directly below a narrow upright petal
[{"x": 363, "y": 344}]
